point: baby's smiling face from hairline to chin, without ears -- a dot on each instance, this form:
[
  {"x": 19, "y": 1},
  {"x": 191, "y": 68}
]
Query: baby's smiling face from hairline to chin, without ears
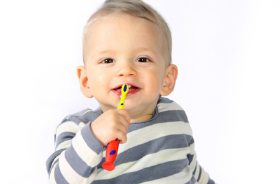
[{"x": 120, "y": 49}]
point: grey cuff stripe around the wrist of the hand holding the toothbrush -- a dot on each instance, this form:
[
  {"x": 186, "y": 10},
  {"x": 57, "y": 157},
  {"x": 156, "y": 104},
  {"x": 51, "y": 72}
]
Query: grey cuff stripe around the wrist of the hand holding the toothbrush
[{"x": 91, "y": 140}]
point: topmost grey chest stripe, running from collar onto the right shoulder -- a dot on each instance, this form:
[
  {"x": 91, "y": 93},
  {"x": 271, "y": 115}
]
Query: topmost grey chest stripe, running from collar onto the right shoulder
[{"x": 163, "y": 117}]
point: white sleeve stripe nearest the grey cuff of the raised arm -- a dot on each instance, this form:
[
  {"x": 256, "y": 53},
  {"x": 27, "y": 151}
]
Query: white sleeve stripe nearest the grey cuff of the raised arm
[{"x": 85, "y": 153}]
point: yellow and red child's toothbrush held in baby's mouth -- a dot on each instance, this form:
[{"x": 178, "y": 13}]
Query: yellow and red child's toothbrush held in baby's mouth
[{"x": 112, "y": 147}]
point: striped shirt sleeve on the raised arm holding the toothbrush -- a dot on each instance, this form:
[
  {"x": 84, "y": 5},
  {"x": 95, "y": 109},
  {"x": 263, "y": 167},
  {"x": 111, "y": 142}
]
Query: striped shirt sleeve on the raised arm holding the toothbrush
[{"x": 77, "y": 154}]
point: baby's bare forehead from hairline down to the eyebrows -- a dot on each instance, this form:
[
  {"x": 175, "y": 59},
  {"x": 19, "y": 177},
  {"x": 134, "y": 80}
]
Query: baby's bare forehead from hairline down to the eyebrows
[{"x": 118, "y": 28}]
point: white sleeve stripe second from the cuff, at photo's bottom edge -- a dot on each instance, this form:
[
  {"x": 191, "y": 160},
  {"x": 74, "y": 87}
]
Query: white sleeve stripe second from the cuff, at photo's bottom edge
[{"x": 68, "y": 172}]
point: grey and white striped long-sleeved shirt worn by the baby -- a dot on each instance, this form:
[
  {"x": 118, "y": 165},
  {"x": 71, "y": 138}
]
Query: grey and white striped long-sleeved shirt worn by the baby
[{"x": 157, "y": 151}]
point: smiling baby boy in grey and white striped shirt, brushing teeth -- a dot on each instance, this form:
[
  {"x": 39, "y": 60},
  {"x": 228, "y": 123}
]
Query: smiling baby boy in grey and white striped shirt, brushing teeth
[{"x": 127, "y": 42}]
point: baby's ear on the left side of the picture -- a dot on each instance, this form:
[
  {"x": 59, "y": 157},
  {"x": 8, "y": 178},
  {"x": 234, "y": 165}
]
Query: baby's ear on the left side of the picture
[{"x": 83, "y": 79}]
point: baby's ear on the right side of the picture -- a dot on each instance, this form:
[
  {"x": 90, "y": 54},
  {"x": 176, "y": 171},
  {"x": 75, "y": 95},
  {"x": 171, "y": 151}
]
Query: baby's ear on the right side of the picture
[{"x": 169, "y": 80}]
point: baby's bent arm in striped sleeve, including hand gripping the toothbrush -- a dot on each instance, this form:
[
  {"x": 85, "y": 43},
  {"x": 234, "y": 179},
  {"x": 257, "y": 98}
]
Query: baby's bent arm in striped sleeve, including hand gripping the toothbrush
[{"x": 79, "y": 146}]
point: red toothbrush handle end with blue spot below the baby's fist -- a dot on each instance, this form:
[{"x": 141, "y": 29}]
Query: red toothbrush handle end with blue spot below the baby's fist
[{"x": 111, "y": 155}]
